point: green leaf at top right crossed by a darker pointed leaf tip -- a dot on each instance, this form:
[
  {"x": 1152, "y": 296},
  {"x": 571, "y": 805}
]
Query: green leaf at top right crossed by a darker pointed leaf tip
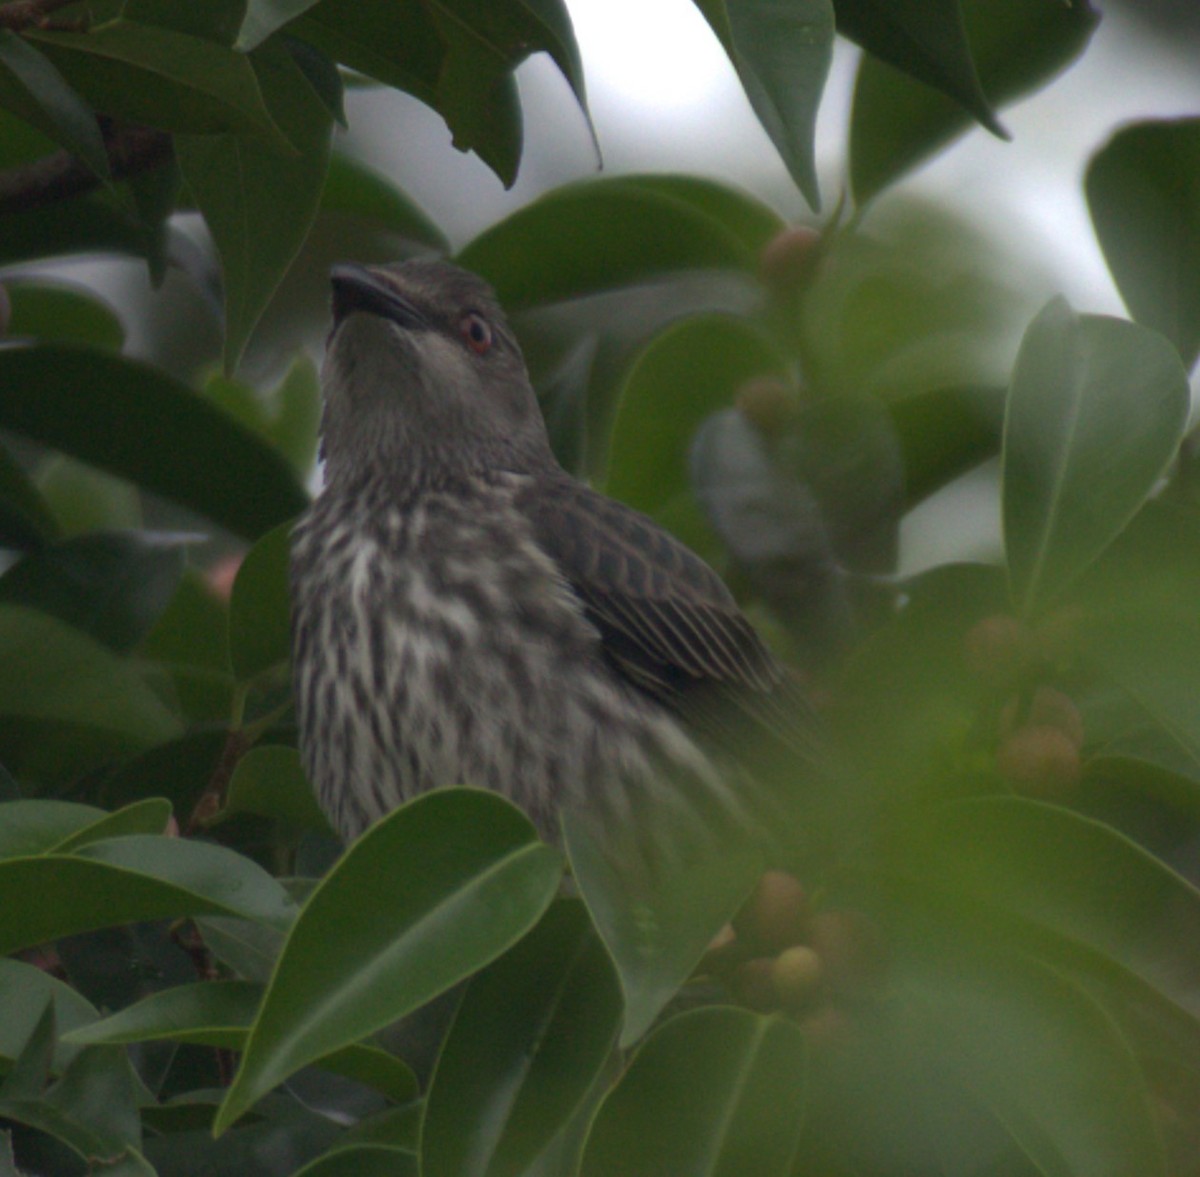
[{"x": 1018, "y": 47}]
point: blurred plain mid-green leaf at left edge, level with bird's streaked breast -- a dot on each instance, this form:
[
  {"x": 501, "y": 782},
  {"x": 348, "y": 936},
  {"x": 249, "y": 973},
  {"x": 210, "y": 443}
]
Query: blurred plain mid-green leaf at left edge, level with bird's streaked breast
[{"x": 55, "y": 672}]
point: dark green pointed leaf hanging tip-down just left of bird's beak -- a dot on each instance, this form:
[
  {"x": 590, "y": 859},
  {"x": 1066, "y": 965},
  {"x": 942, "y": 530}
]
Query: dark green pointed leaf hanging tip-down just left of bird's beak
[{"x": 260, "y": 201}]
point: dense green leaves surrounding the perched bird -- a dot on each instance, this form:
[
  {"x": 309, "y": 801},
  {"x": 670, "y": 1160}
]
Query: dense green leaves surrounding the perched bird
[{"x": 994, "y": 968}]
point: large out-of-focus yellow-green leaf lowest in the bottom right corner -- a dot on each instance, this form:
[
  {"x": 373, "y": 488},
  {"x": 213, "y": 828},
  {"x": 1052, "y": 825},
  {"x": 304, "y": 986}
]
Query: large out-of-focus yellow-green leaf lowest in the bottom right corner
[{"x": 1040, "y": 1054}]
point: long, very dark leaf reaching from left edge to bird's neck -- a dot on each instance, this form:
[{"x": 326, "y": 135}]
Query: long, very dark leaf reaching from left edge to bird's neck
[{"x": 141, "y": 424}]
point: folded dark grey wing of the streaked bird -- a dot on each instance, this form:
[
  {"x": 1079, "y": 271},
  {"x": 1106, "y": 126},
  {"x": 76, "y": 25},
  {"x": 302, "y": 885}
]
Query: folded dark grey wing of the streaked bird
[{"x": 668, "y": 622}]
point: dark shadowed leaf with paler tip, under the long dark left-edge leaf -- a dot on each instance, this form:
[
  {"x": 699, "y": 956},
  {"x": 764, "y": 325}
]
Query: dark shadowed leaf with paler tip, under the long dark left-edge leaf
[{"x": 112, "y": 587}]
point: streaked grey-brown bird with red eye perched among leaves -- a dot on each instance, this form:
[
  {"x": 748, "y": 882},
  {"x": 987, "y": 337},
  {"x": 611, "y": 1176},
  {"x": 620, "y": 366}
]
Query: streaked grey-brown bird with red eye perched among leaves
[{"x": 466, "y": 612}]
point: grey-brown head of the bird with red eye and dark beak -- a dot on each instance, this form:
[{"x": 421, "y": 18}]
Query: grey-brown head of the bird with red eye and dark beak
[{"x": 424, "y": 375}]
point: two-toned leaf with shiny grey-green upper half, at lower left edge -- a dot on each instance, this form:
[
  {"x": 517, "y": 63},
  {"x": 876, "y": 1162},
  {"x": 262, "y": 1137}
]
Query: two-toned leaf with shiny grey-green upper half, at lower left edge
[{"x": 131, "y": 879}]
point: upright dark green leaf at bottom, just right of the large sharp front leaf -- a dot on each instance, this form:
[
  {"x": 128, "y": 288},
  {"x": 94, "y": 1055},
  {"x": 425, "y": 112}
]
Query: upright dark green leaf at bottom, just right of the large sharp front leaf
[{"x": 530, "y": 1040}]
